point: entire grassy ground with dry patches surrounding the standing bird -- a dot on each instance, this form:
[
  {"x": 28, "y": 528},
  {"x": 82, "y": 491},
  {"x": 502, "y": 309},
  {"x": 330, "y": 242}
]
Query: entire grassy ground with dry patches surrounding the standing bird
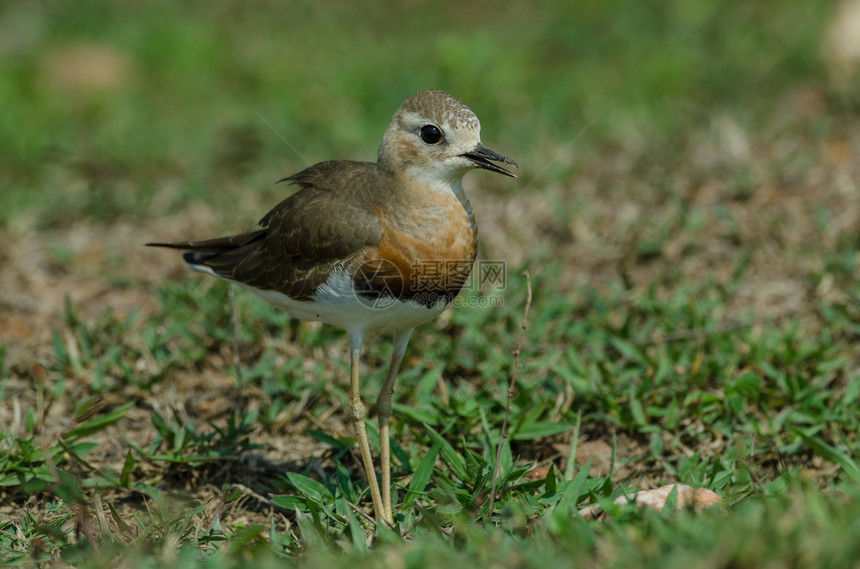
[{"x": 687, "y": 213}]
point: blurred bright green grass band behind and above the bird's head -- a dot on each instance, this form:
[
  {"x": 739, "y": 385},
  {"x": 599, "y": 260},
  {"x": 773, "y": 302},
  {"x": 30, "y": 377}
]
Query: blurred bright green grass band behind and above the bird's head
[{"x": 243, "y": 90}]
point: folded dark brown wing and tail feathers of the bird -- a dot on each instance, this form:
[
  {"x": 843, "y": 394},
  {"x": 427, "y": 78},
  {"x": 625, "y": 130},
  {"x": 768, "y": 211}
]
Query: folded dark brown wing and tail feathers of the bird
[{"x": 303, "y": 238}]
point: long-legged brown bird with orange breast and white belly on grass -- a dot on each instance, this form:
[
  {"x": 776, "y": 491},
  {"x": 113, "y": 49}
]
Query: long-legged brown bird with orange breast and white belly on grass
[{"x": 369, "y": 247}]
